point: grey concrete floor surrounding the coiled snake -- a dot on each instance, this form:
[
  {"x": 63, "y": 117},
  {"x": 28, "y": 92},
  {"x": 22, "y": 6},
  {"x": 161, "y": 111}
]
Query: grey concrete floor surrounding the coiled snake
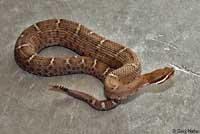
[{"x": 162, "y": 32}]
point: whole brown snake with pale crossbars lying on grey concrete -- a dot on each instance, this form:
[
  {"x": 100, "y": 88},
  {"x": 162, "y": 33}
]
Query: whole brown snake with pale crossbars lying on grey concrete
[{"x": 115, "y": 65}]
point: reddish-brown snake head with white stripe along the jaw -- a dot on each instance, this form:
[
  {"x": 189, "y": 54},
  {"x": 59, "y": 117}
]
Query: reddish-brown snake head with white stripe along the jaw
[{"x": 159, "y": 76}]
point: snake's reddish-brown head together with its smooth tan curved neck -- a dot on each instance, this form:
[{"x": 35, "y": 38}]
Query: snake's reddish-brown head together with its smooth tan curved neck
[{"x": 115, "y": 89}]
